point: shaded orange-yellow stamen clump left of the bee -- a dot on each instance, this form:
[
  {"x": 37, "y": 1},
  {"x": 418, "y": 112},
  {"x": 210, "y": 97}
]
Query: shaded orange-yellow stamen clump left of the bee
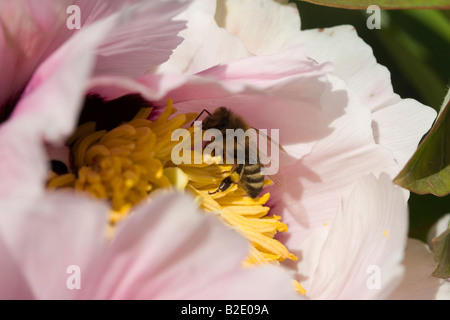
[{"x": 122, "y": 165}]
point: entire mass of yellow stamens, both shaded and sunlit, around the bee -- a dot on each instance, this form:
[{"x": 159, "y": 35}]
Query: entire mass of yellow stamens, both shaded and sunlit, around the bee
[{"x": 126, "y": 164}]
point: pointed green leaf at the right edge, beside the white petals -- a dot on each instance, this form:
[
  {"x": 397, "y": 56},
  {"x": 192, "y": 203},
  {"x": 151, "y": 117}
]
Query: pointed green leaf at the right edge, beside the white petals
[{"x": 428, "y": 171}]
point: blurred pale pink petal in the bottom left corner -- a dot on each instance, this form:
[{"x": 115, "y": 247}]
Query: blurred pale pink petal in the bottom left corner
[{"x": 55, "y": 232}]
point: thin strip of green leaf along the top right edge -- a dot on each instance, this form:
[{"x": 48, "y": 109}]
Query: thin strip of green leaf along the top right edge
[{"x": 384, "y": 4}]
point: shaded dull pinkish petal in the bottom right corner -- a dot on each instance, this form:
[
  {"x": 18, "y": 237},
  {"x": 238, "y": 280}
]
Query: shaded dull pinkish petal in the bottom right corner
[{"x": 418, "y": 283}]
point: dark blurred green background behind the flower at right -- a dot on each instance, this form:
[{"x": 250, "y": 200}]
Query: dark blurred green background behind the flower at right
[{"x": 415, "y": 46}]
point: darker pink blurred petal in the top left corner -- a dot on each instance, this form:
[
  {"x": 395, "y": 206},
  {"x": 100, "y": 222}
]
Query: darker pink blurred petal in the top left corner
[{"x": 27, "y": 37}]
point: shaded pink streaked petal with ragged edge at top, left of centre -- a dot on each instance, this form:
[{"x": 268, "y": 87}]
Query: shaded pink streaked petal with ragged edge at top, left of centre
[{"x": 143, "y": 41}]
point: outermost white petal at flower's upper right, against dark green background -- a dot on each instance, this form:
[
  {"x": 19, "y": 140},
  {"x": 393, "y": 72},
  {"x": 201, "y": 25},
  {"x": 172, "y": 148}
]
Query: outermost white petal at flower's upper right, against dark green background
[{"x": 398, "y": 124}]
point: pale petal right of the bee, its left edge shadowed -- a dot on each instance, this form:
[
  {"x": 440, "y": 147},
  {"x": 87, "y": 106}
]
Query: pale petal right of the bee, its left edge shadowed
[{"x": 317, "y": 185}]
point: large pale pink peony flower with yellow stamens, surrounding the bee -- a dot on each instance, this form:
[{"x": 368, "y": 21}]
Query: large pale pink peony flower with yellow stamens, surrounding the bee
[{"x": 337, "y": 225}]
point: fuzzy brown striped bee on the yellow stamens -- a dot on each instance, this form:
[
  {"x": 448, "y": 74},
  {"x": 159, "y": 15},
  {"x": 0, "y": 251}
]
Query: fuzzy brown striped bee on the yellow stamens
[{"x": 248, "y": 174}]
